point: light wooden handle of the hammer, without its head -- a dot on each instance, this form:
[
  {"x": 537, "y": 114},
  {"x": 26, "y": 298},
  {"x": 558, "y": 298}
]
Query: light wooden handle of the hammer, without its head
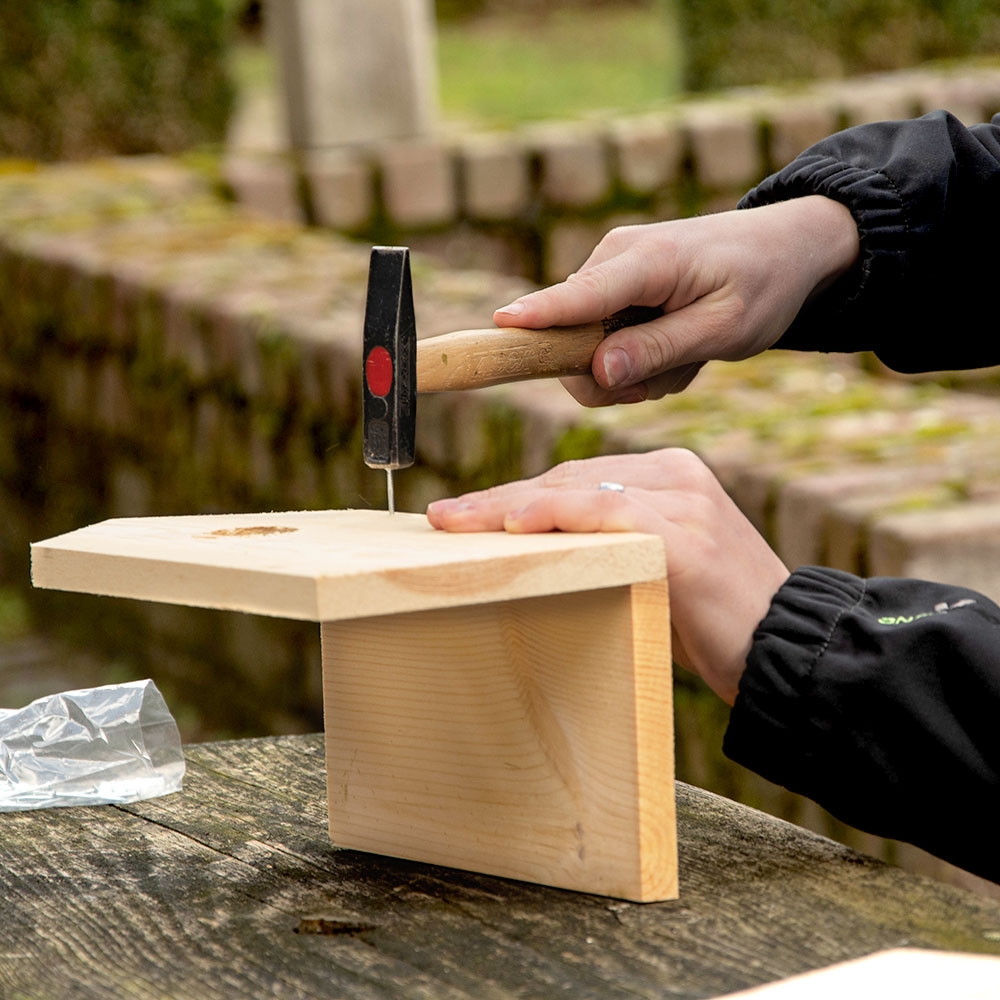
[{"x": 472, "y": 359}]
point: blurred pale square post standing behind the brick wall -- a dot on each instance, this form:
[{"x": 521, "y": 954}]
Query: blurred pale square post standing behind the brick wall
[{"x": 355, "y": 71}]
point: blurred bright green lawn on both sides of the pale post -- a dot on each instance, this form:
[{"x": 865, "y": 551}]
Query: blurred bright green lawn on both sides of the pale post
[{"x": 502, "y": 70}]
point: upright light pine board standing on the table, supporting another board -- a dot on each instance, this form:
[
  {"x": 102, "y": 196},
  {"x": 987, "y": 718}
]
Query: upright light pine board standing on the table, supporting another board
[{"x": 531, "y": 739}]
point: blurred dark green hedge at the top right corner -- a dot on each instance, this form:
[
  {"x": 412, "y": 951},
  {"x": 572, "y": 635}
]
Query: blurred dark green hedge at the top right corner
[{"x": 738, "y": 42}]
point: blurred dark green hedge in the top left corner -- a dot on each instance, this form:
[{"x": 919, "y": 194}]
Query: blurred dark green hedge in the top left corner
[{"x": 80, "y": 78}]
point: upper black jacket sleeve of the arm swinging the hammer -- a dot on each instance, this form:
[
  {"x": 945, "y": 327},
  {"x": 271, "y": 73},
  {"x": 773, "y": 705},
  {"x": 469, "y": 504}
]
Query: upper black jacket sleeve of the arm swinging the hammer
[{"x": 926, "y": 197}]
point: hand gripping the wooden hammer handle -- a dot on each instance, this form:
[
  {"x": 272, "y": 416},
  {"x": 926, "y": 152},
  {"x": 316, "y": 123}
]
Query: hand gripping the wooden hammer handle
[{"x": 729, "y": 284}]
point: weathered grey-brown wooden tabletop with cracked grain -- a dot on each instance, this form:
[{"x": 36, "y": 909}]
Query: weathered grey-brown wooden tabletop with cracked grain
[{"x": 232, "y": 888}]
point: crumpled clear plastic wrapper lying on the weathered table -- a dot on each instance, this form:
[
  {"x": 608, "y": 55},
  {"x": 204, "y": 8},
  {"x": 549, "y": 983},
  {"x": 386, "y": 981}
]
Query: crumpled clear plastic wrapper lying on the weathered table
[{"x": 111, "y": 744}]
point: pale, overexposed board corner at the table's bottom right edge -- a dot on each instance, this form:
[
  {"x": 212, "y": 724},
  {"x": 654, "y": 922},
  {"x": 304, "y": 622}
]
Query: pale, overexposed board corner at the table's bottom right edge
[{"x": 904, "y": 972}]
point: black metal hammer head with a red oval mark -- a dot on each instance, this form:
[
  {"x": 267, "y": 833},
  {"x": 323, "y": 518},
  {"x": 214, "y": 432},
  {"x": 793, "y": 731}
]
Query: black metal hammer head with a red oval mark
[{"x": 390, "y": 367}]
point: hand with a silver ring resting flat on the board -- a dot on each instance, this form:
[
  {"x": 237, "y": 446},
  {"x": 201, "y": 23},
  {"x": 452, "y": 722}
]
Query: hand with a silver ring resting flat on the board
[{"x": 721, "y": 573}]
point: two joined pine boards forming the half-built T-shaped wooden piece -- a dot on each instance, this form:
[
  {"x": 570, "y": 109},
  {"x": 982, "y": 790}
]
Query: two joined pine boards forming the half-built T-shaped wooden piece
[{"x": 495, "y": 702}]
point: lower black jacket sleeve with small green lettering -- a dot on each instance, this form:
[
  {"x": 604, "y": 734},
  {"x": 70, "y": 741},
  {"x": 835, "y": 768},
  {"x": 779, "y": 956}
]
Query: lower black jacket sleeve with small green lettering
[{"x": 878, "y": 699}]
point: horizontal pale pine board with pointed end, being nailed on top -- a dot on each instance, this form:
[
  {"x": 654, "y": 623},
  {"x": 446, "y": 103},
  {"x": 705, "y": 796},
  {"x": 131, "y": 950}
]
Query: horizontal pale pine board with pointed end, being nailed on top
[{"x": 332, "y": 565}]
